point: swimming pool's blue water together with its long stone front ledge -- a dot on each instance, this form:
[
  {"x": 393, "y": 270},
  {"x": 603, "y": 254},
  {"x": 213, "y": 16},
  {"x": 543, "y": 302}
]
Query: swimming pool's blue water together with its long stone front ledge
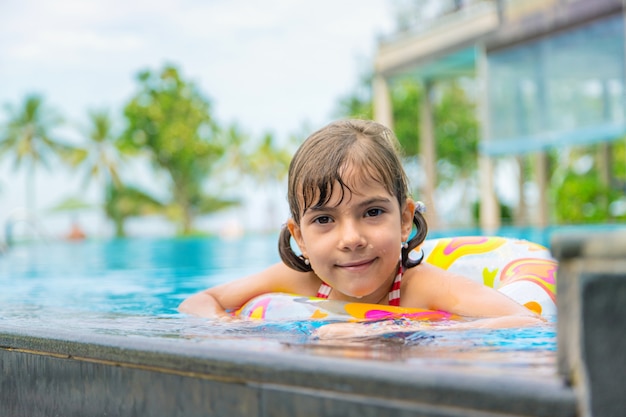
[{"x": 75, "y": 313}]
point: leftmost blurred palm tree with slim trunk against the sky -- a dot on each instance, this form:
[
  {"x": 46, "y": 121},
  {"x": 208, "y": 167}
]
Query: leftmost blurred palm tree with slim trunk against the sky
[{"x": 27, "y": 138}]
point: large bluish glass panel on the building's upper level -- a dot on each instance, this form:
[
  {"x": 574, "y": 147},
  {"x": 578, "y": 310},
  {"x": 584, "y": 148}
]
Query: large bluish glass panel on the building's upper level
[{"x": 565, "y": 88}]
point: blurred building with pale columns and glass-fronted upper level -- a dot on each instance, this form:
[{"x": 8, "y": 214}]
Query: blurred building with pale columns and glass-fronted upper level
[{"x": 551, "y": 73}]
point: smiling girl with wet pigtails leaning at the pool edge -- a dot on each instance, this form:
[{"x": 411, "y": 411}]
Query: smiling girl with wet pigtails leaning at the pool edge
[{"x": 351, "y": 218}]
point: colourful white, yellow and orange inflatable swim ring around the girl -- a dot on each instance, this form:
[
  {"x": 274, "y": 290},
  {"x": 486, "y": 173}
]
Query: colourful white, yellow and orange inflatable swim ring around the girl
[{"x": 524, "y": 271}]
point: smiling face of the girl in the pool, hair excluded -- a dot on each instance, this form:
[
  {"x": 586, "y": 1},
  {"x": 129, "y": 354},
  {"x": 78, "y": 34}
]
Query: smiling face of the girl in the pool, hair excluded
[{"x": 354, "y": 243}]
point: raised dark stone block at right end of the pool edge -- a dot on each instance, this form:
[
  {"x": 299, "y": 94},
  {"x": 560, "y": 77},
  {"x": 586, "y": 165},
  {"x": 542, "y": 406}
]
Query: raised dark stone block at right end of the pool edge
[{"x": 591, "y": 328}]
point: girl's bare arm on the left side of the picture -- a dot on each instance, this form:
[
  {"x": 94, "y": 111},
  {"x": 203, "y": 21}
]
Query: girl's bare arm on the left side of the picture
[{"x": 213, "y": 302}]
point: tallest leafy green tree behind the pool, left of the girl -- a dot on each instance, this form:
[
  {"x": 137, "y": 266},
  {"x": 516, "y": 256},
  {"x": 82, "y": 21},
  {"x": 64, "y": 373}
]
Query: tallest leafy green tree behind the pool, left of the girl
[{"x": 170, "y": 120}]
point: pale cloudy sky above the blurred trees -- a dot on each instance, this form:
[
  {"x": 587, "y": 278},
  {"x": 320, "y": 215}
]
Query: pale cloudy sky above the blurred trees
[{"x": 272, "y": 66}]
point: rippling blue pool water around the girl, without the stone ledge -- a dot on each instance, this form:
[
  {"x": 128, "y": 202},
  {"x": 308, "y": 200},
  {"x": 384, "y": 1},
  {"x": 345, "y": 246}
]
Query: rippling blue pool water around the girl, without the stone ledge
[{"x": 131, "y": 288}]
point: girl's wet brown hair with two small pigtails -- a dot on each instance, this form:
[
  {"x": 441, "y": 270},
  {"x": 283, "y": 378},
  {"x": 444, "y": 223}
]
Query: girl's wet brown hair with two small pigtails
[{"x": 317, "y": 167}]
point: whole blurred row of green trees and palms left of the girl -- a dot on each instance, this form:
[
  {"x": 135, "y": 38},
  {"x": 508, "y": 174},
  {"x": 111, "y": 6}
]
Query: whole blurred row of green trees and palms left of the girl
[{"x": 168, "y": 121}]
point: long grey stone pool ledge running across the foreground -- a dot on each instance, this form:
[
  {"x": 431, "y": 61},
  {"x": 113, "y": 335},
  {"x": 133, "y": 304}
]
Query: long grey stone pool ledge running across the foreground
[{"x": 51, "y": 372}]
